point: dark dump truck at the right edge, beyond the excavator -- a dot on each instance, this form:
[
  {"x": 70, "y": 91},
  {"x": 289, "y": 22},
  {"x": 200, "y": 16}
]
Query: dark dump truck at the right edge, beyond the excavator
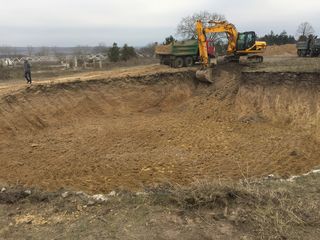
[{"x": 309, "y": 48}]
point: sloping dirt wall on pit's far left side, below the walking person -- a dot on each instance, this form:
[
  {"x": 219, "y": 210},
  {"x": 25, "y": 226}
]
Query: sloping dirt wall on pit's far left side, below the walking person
[{"x": 42, "y": 106}]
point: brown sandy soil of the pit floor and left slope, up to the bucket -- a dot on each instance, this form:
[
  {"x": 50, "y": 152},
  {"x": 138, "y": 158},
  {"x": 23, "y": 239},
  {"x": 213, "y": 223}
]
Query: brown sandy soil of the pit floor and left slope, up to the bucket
[{"x": 141, "y": 126}]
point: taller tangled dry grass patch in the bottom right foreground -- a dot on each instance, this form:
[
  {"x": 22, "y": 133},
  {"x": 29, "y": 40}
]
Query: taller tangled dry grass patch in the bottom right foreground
[{"x": 263, "y": 210}]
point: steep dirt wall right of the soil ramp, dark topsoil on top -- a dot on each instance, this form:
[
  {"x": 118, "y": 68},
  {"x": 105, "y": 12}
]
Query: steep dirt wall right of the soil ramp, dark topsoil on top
[{"x": 284, "y": 98}]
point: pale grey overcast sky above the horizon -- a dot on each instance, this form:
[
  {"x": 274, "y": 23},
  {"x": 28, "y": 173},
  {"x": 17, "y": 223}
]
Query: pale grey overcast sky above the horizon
[{"x": 138, "y": 22}]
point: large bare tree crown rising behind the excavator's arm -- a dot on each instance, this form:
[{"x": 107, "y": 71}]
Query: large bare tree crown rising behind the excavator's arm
[{"x": 187, "y": 25}]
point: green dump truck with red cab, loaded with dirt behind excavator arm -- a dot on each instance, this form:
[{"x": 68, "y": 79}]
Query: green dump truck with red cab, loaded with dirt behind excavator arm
[{"x": 182, "y": 53}]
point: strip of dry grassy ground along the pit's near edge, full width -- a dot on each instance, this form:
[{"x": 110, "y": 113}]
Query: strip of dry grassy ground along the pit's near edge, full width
[{"x": 205, "y": 210}]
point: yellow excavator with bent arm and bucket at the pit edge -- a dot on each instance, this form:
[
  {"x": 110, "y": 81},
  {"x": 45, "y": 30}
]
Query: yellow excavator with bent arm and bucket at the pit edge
[{"x": 239, "y": 44}]
